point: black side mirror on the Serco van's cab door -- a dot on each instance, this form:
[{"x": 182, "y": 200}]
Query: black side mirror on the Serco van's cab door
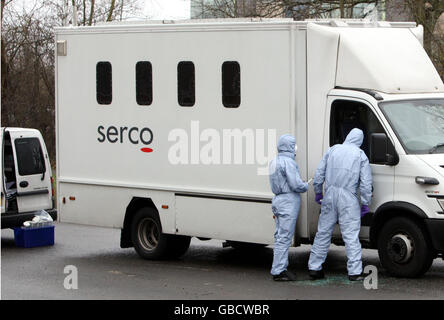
[{"x": 382, "y": 150}]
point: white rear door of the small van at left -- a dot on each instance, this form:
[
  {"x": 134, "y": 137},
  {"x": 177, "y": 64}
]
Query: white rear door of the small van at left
[{"x": 33, "y": 171}]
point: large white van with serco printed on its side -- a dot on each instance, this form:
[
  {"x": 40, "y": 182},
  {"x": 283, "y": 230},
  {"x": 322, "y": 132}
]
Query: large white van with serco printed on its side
[{"x": 165, "y": 129}]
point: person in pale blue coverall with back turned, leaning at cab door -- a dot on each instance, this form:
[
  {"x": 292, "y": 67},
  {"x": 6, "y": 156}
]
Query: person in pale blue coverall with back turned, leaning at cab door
[{"x": 343, "y": 170}]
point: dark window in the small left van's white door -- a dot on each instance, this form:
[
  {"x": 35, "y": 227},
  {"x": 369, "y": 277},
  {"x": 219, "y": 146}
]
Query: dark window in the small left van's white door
[{"x": 30, "y": 158}]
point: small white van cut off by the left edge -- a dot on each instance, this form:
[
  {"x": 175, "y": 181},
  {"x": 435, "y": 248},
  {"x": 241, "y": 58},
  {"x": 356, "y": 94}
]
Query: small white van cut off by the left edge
[{"x": 27, "y": 183}]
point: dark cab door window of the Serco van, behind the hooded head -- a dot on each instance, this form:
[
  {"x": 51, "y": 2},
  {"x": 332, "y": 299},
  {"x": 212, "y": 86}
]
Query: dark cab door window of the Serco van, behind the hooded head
[{"x": 346, "y": 115}]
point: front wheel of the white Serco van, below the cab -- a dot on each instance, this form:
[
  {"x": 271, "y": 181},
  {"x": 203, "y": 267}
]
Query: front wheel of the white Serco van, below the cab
[{"x": 404, "y": 248}]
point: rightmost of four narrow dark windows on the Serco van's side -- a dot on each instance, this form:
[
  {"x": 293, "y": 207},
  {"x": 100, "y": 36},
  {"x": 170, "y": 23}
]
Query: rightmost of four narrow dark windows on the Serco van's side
[{"x": 231, "y": 84}]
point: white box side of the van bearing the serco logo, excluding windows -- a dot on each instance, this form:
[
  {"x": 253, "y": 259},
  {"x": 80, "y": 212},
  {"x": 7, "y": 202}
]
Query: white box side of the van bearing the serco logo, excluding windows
[{"x": 101, "y": 145}]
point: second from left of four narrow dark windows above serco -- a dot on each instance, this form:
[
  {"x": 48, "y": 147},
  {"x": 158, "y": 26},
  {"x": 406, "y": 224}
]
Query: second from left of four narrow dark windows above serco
[{"x": 144, "y": 83}]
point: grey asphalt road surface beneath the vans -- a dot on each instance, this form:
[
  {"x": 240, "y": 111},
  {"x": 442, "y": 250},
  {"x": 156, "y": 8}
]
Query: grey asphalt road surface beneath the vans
[{"x": 206, "y": 271}]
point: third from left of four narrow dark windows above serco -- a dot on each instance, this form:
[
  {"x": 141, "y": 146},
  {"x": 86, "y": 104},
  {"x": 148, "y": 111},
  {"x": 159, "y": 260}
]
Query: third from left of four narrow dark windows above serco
[{"x": 185, "y": 83}]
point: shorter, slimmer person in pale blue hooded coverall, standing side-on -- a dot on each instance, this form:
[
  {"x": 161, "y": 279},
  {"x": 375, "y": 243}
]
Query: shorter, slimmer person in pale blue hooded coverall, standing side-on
[{"x": 286, "y": 185}]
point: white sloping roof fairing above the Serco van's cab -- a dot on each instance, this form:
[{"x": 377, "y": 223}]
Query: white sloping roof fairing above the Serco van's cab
[{"x": 390, "y": 60}]
